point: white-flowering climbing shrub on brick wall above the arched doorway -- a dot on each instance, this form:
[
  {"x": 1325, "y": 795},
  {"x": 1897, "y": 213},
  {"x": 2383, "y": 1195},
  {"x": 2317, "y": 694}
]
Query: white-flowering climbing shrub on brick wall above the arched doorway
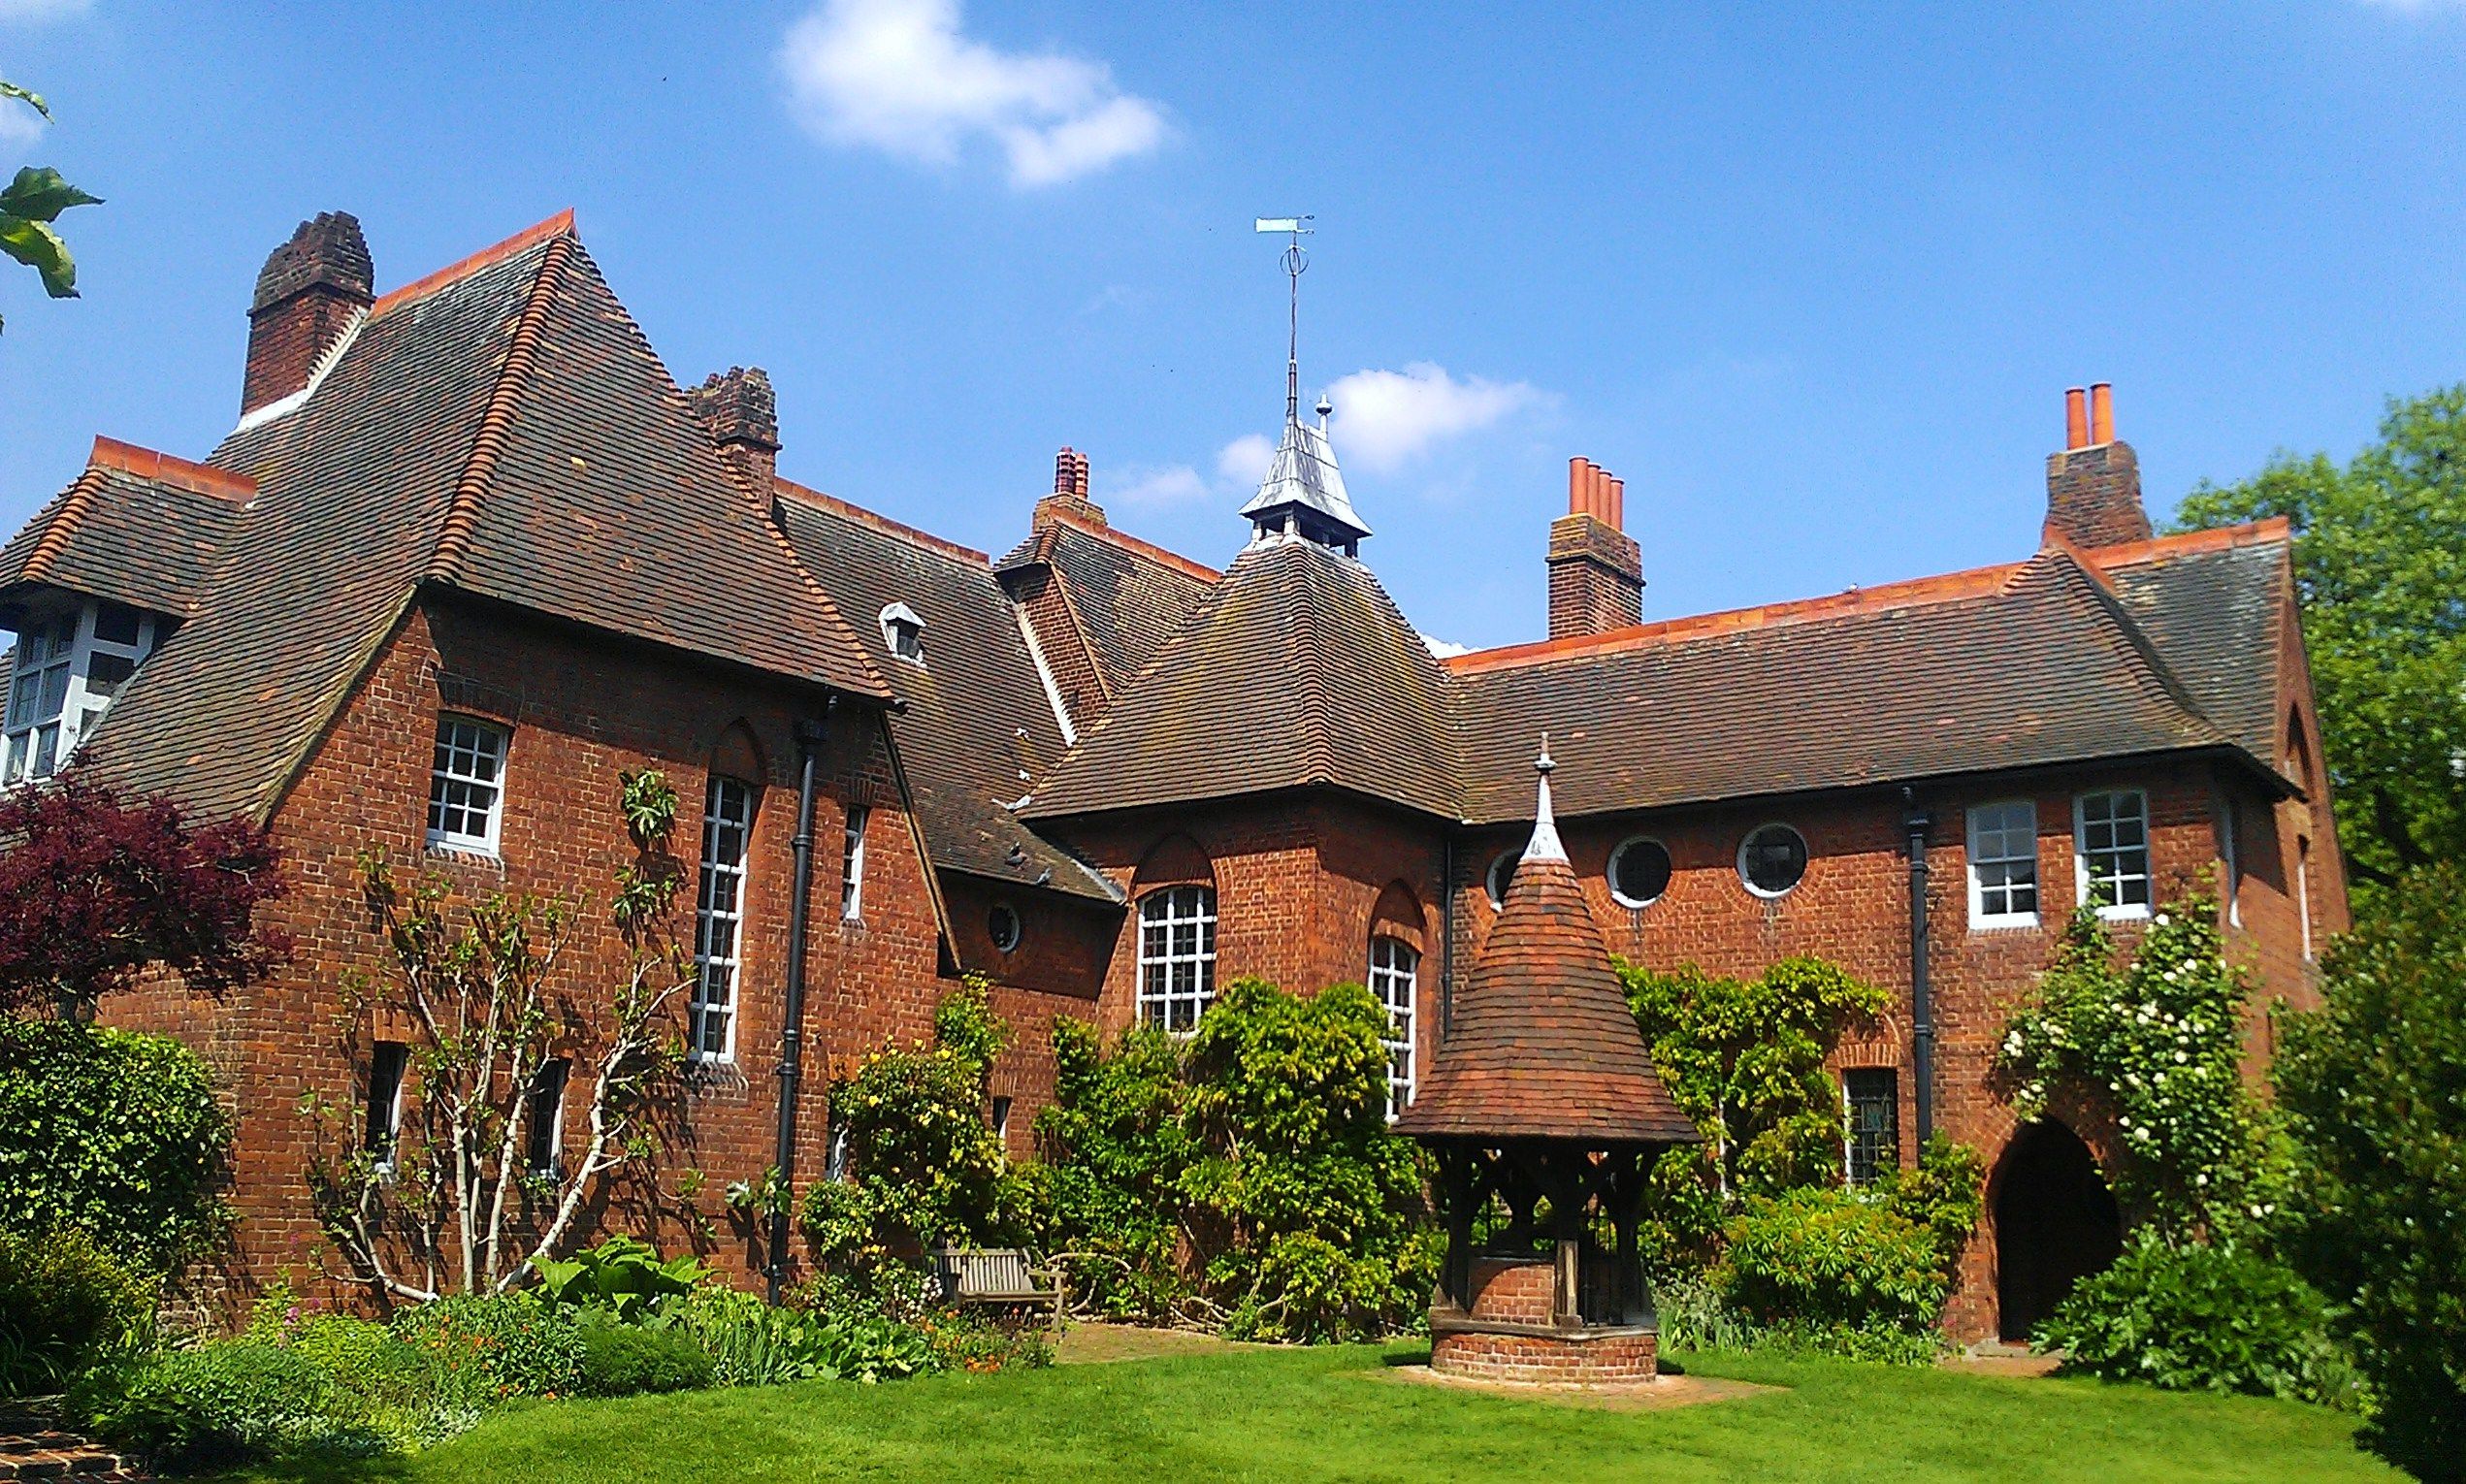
[{"x": 2159, "y": 1042}]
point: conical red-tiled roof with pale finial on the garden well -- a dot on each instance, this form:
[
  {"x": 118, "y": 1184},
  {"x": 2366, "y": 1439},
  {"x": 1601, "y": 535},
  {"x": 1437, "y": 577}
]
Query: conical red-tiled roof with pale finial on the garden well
[{"x": 1542, "y": 1042}]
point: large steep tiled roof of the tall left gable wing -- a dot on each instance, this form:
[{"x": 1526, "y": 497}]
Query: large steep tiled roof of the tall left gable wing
[{"x": 502, "y": 430}]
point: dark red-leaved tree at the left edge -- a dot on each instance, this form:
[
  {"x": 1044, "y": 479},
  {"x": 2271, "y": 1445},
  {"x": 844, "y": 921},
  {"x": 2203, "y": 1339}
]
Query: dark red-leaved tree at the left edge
[{"x": 97, "y": 889}]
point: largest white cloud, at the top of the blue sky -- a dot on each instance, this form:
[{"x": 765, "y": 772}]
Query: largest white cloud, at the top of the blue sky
[{"x": 899, "y": 75}]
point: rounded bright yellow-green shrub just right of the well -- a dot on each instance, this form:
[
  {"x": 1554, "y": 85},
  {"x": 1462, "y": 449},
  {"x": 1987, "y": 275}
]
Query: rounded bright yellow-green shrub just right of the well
[{"x": 1831, "y": 1258}]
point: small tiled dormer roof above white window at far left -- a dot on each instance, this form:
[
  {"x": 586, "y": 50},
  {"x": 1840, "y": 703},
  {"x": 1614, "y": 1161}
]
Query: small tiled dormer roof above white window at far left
[{"x": 142, "y": 529}]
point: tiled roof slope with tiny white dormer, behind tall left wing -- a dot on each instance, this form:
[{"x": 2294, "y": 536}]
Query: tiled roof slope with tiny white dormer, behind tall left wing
[{"x": 978, "y": 724}]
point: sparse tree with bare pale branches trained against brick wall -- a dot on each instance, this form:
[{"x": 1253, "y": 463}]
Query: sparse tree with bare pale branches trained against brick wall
[{"x": 480, "y": 990}]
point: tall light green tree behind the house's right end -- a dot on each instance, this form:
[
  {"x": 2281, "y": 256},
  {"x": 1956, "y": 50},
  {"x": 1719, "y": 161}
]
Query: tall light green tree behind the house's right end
[{"x": 2381, "y": 568}]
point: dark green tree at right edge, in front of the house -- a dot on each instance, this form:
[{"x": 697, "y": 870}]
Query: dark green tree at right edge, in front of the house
[{"x": 2374, "y": 1086}]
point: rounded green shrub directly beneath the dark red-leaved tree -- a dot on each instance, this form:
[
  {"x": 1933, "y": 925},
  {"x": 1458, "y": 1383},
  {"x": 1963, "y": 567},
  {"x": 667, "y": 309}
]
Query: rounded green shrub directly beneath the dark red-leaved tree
[{"x": 110, "y": 1133}]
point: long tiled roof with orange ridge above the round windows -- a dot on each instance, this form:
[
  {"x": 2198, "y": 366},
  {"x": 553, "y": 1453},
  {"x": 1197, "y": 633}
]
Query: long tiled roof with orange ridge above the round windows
[{"x": 2013, "y": 667}]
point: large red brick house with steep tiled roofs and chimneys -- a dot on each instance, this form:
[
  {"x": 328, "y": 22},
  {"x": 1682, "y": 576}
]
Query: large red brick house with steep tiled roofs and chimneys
[{"x": 472, "y": 553}]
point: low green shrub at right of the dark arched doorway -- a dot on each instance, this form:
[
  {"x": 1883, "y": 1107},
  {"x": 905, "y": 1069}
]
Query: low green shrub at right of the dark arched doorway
[{"x": 2201, "y": 1320}]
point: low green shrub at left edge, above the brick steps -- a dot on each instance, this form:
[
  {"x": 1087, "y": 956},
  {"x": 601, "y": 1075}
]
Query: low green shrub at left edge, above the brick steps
[{"x": 63, "y": 1308}]
